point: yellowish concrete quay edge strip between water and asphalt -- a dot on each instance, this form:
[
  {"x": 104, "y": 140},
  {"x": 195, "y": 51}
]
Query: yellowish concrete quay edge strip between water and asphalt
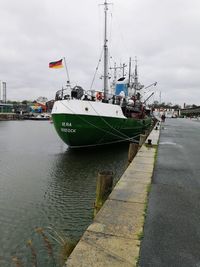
[{"x": 113, "y": 239}]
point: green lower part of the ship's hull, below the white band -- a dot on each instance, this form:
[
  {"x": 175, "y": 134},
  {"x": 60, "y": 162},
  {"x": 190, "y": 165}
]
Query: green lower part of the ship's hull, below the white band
[{"x": 85, "y": 130}]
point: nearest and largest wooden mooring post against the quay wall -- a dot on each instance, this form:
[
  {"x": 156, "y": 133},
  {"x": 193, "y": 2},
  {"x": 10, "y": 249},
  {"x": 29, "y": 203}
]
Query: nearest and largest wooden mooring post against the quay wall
[{"x": 103, "y": 189}]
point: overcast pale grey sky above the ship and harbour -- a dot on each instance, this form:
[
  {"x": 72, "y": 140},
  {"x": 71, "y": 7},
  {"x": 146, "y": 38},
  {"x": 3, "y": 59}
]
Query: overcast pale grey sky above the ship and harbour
[{"x": 163, "y": 35}]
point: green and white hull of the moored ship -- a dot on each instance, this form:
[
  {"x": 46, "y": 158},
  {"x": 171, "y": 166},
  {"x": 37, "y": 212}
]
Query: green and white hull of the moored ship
[{"x": 91, "y": 126}]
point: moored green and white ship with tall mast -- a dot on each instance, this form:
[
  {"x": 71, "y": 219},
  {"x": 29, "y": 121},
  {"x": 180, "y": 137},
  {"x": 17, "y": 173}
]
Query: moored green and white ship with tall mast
[{"x": 94, "y": 118}]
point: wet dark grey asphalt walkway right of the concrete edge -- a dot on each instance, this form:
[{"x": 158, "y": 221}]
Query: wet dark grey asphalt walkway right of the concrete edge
[{"x": 172, "y": 226}]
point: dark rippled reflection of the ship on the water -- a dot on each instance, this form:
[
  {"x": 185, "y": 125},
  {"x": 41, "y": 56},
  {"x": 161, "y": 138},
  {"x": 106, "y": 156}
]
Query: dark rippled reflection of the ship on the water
[{"x": 72, "y": 185}]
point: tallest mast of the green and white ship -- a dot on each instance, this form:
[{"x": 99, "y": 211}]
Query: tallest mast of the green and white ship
[{"x": 105, "y": 53}]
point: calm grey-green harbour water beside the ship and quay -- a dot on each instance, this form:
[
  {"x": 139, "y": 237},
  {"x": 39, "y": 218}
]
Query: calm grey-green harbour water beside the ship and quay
[{"x": 45, "y": 184}]
